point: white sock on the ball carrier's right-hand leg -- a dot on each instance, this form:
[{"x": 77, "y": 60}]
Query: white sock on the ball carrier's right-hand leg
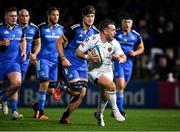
[{"x": 112, "y": 99}]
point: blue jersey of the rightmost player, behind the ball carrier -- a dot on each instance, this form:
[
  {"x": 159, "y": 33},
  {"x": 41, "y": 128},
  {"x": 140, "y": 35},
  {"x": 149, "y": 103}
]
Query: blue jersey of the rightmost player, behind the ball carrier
[{"x": 129, "y": 41}]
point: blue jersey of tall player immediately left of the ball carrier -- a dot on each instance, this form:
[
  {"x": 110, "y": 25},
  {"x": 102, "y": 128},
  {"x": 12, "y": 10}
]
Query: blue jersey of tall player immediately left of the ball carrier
[{"x": 75, "y": 36}]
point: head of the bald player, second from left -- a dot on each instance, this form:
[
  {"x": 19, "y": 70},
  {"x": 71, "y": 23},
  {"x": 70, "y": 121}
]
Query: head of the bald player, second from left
[{"x": 24, "y": 17}]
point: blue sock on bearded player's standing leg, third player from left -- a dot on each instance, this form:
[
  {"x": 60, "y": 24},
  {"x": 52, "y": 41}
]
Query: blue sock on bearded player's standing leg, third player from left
[{"x": 41, "y": 100}]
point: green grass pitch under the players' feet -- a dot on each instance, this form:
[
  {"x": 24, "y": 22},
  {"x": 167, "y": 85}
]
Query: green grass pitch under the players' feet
[{"x": 83, "y": 120}]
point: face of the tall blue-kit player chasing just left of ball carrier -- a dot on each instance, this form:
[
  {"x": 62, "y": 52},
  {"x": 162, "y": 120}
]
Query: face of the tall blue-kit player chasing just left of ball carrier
[{"x": 89, "y": 19}]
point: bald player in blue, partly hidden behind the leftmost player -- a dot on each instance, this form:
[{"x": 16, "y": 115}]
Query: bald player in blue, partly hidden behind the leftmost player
[{"x": 32, "y": 37}]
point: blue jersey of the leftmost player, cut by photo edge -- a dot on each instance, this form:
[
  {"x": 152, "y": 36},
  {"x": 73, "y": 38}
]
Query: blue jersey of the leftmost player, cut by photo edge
[{"x": 15, "y": 35}]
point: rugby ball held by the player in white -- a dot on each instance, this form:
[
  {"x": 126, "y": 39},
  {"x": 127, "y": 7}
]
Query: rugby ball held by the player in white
[{"x": 99, "y": 51}]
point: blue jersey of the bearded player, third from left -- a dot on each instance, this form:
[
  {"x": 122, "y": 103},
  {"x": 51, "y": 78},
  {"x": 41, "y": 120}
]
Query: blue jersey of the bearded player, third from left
[{"x": 49, "y": 37}]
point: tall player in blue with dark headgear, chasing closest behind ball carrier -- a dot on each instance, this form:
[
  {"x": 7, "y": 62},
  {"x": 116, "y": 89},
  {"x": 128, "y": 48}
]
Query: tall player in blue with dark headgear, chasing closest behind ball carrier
[{"x": 76, "y": 70}]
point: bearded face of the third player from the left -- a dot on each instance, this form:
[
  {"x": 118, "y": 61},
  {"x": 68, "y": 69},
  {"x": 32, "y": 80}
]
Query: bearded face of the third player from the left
[{"x": 54, "y": 17}]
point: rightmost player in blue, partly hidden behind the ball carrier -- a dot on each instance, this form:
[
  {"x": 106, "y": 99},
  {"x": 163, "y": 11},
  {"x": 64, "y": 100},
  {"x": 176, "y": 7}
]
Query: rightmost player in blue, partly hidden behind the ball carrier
[{"x": 132, "y": 45}]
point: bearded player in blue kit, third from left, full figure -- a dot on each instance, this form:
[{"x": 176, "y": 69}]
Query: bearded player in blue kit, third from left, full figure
[{"x": 47, "y": 59}]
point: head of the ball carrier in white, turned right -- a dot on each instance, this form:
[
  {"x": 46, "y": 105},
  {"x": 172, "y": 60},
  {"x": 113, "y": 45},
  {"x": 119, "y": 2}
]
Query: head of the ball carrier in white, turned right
[{"x": 110, "y": 32}]
